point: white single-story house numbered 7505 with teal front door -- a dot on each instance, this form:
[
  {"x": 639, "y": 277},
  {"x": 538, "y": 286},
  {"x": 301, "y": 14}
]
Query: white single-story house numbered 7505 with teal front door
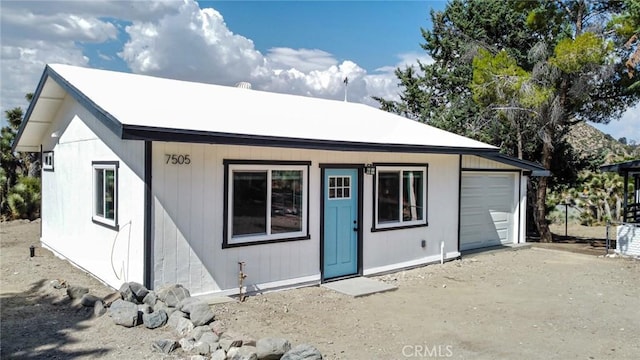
[{"x": 163, "y": 181}]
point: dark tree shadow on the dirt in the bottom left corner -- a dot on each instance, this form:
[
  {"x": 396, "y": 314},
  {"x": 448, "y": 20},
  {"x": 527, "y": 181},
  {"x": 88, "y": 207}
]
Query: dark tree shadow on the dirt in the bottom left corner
[{"x": 41, "y": 322}]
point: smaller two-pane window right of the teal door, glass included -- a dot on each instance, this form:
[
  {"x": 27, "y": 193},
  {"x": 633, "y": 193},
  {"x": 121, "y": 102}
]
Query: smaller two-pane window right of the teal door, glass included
[{"x": 400, "y": 196}]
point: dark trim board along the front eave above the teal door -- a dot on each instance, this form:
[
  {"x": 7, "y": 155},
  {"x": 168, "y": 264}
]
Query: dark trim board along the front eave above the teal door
[{"x": 134, "y": 132}]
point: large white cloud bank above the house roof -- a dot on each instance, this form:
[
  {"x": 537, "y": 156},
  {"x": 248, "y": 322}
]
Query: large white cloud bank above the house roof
[{"x": 175, "y": 39}]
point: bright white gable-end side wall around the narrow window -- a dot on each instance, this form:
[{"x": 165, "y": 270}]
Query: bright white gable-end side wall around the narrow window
[{"x": 67, "y": 227}]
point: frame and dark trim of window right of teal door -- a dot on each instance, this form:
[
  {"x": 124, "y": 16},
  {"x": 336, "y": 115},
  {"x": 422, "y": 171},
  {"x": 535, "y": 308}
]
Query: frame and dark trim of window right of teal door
[{"x": 400, "y": 223}]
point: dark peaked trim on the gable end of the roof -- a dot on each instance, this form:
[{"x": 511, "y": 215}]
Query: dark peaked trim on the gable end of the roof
[{"x": 103, "y": 116}]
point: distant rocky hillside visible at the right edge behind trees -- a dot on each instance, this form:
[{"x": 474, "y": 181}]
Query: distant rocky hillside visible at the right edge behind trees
[{"x": 591, "y": 143}]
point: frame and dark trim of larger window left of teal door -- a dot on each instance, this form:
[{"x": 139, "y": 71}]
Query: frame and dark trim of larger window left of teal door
[{"x": 231, "y": 166}]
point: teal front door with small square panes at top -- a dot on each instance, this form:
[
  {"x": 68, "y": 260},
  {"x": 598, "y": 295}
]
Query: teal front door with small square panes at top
[{"x": 341, "y": 228}]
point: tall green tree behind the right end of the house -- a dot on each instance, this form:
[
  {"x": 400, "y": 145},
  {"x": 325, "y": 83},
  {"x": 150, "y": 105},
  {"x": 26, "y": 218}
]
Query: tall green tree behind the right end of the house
[{"x": 519, "y": 74}]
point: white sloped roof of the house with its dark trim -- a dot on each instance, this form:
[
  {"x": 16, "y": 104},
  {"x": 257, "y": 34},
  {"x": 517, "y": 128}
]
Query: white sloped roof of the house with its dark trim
[{"x": 143, "y": 107}]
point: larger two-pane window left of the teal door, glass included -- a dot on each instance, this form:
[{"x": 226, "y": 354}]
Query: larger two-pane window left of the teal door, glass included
[{"x": 265, "y": 202}]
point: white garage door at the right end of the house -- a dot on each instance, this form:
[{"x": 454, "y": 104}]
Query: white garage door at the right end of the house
[{"x": 487, "y": 209}]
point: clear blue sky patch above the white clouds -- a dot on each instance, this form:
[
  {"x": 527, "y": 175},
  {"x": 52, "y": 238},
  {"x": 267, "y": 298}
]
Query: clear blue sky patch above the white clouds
[{"x": 371, "y": 33}]
